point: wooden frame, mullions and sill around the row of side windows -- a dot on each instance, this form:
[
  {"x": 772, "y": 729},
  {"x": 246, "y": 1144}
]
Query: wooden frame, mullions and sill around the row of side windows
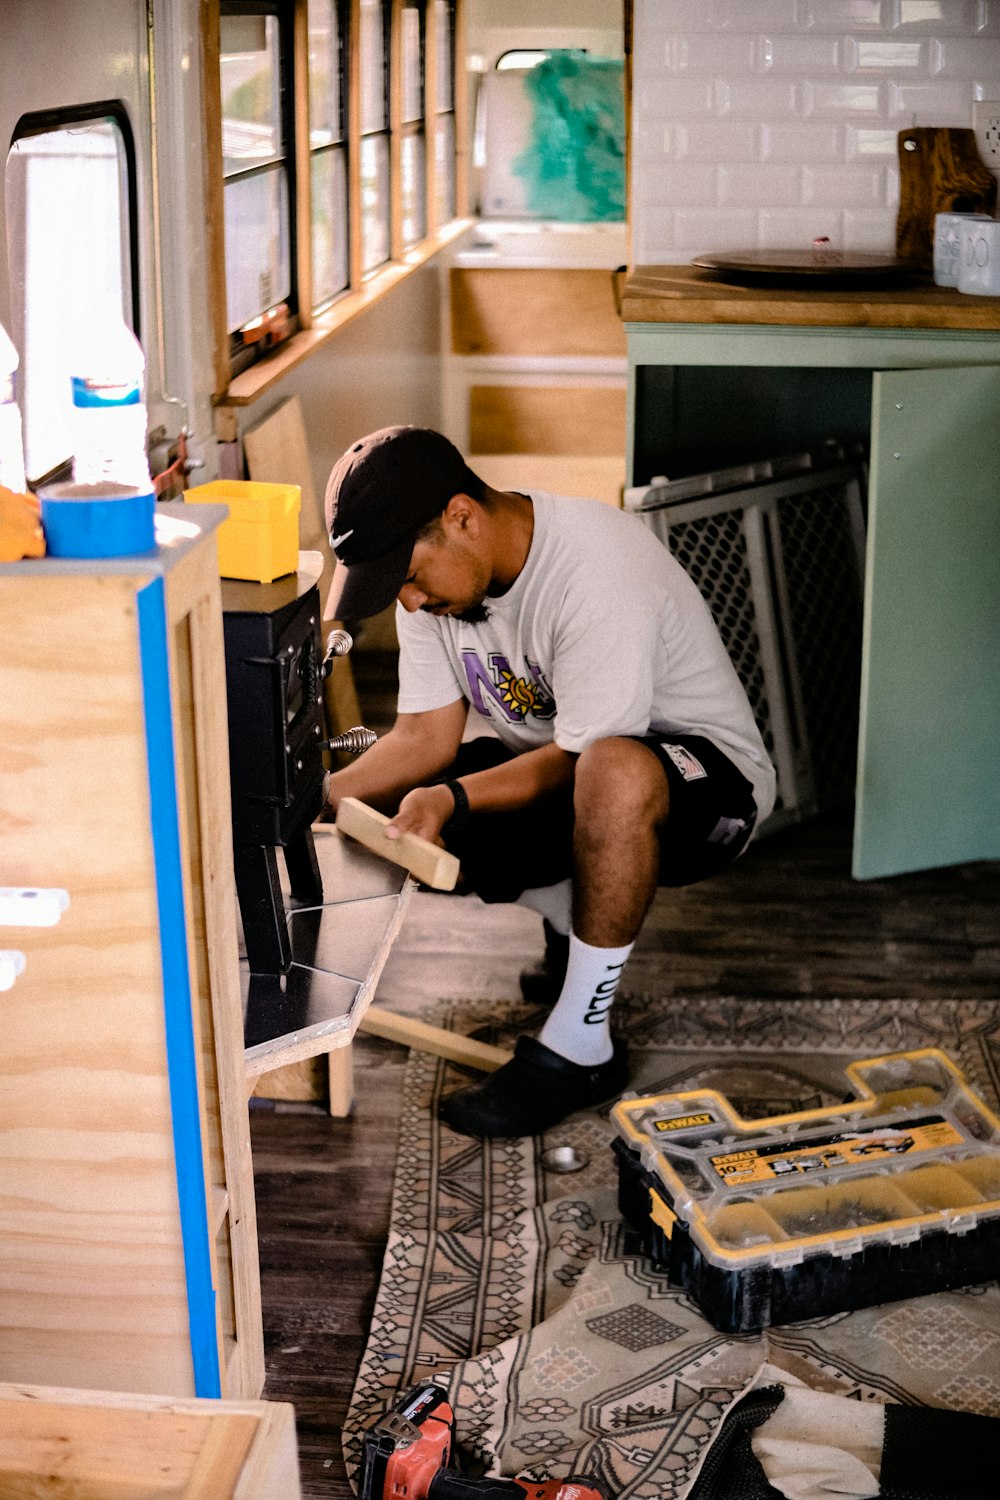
[{"x": 317, "y": 329}]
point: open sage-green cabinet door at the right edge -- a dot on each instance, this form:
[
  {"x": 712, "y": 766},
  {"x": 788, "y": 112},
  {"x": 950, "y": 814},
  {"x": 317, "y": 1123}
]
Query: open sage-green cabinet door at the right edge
[{"x": 929, "y": 790}]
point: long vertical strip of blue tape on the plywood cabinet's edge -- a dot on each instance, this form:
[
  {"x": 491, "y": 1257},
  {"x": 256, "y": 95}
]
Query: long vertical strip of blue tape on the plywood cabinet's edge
[{"x": 178, "y": 1001}]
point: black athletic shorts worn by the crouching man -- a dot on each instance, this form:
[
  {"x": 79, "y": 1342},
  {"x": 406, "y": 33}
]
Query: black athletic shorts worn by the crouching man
[{"x": 713, "y": 815}]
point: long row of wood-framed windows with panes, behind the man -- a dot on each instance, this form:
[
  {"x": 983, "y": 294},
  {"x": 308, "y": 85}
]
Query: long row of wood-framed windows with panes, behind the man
[{"x": 340, "y": 128}]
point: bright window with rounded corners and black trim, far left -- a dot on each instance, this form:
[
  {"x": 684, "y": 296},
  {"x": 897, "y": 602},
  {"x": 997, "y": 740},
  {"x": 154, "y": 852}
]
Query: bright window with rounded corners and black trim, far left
[{"x": 65, "y": 169}]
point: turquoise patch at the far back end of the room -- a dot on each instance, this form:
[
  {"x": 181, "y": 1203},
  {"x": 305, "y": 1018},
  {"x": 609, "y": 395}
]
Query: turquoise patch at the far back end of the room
[{"x": 575, "y": 167}]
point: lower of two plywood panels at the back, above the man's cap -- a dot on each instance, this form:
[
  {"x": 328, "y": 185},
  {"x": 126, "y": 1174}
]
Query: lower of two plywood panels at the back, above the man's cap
[{"x": 548, "y": 419}]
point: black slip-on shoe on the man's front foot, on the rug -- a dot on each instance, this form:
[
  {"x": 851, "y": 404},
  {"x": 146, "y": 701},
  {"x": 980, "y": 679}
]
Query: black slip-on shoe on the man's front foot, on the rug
[{"x": 533, "y": 1093}]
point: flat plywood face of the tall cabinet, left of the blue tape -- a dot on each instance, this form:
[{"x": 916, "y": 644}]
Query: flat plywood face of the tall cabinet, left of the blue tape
[{"x": 92, "y": 1274}]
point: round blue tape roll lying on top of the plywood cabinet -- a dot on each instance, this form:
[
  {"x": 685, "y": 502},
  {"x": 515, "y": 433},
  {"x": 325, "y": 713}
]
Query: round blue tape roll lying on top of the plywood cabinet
[{"x": 98, "y": 521}]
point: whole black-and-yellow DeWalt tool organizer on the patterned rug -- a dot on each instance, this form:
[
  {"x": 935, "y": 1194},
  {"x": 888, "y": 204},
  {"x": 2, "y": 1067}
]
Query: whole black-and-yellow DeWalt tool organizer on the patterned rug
[{"x": 893, "y": 1195}]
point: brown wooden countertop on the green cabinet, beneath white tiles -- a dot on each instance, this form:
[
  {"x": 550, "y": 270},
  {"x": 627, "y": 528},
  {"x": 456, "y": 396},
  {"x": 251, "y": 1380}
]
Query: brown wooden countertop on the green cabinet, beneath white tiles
[{"x": 689, "y": 295}]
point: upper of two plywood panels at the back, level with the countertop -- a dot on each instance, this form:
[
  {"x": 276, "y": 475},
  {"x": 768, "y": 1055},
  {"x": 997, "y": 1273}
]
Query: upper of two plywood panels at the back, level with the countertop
[{"x": 536, "y": 313}]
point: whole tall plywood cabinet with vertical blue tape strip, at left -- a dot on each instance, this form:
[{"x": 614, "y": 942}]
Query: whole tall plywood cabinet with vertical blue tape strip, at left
[{"x": 128, "y": 1231}]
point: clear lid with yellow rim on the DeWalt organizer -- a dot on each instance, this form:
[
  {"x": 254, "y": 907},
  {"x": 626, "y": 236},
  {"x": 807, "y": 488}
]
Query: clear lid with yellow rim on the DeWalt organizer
[{"x": 915, "y": 1150}]
